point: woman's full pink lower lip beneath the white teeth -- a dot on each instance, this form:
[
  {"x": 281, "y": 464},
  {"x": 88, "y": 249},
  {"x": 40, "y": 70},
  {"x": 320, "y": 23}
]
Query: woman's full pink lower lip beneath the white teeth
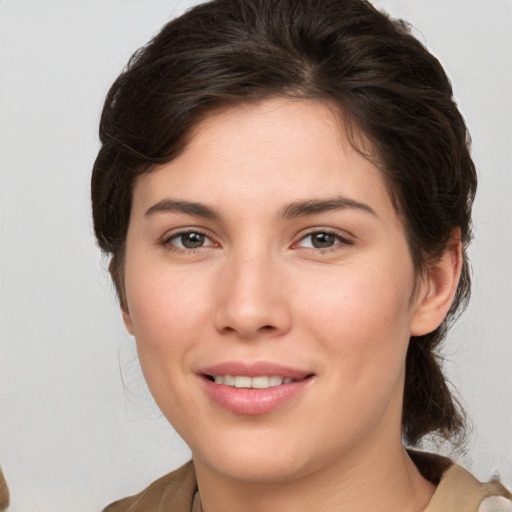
[{"x": 254, "y": 401}]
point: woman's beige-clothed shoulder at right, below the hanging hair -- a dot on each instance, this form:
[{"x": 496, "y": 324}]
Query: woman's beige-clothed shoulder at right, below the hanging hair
[{"x": 459, "y": 491}]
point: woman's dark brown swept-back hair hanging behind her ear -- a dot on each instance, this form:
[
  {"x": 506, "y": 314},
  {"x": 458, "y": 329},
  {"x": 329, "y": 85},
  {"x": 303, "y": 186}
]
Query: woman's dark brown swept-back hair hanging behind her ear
[{"x": 383, "y": 82}]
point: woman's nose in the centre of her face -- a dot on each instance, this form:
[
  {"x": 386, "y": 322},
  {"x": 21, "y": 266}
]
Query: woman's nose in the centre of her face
[{"x": 252, "y": 300}]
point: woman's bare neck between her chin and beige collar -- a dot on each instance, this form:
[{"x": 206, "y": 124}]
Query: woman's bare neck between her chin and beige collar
[{"x": 381, "y": 481}]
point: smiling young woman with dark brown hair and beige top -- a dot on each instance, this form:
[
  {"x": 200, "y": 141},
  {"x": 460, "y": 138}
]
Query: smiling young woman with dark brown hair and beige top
[{"x": 285, "y": 189}]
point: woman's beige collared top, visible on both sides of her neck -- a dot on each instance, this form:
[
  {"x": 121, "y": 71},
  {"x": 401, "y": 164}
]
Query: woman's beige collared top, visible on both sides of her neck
[{"x": 457, "y": 490}]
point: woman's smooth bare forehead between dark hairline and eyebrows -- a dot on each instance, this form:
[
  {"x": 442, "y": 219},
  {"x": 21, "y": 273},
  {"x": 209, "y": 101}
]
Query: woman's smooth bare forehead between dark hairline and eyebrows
[{"x": 279, "y": 149}]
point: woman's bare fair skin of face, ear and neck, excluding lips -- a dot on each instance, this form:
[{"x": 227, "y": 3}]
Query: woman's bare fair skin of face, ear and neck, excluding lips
[{"x": 258, "y": 289}]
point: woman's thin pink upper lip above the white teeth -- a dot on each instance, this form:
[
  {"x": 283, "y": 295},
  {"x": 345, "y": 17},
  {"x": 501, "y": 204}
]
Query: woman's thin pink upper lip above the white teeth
[{"x": 254, "y": 369}]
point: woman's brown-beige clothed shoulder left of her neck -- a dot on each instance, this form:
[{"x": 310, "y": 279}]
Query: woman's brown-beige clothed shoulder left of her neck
[{"x": 173, "y": 492}]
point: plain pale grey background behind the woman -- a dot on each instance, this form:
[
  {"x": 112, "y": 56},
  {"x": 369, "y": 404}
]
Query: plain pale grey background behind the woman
[{"x": 78, "y": 427}]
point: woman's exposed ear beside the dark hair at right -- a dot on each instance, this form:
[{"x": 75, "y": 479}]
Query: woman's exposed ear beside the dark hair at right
[{"x": 437, "y": 289}]
